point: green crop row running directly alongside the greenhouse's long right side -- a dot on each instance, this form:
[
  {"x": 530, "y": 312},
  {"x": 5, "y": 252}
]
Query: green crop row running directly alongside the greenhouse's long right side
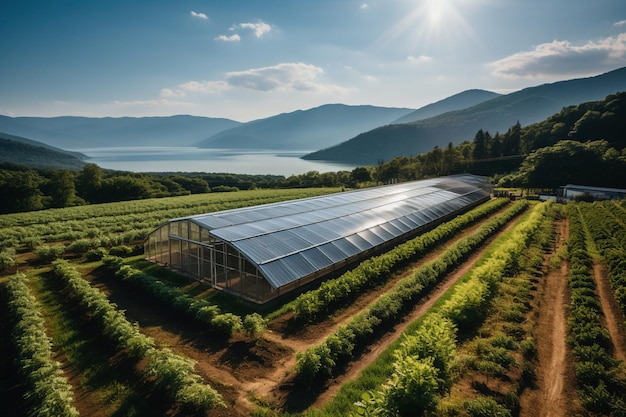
[{"x": 378, "y": 269}]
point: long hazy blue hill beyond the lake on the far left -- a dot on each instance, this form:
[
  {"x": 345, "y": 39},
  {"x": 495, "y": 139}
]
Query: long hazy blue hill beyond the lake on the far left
[{"x": 71, "y": 132}]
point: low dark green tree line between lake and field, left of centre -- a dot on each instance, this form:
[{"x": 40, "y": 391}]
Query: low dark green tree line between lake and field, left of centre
[{"x": 27, "y": 189}]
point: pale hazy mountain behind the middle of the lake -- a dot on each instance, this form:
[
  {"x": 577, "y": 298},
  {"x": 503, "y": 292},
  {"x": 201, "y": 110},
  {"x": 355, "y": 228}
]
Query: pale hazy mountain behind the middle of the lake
[{"x": 305, "y": 129}]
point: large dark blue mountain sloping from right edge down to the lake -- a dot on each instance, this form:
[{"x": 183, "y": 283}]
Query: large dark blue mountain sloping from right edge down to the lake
[{"x": 526, "y": 106}]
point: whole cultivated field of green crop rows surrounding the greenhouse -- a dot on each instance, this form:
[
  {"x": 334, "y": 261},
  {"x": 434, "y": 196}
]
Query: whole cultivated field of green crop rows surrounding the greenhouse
[{"x": 512, "y": 308}]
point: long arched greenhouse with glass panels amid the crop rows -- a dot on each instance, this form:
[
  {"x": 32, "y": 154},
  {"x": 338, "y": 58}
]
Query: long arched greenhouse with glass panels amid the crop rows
[{"x": 262, "y": 252}]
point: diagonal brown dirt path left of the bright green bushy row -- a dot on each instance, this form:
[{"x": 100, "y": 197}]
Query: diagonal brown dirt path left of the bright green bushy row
[{"x": 374, "y": 350}]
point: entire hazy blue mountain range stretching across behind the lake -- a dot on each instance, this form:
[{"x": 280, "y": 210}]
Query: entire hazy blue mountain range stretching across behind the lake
[{"x": 357, "y": 135}]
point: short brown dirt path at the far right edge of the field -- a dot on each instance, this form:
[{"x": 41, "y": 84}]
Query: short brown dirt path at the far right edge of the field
[{"x": 612, "y": 313}]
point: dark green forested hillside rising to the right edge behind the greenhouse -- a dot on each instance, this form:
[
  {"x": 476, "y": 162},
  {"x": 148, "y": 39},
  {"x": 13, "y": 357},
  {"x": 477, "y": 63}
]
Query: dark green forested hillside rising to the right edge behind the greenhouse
[{"x": 580, "y": 144}]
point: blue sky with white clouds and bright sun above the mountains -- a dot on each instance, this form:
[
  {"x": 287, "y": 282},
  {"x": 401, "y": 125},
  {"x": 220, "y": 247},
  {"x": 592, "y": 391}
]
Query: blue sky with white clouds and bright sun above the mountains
[{"x": 250, "y": 59}]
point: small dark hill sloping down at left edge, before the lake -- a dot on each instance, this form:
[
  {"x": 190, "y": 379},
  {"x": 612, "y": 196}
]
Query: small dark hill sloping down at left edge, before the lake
[{"x": 21, "y": 151}]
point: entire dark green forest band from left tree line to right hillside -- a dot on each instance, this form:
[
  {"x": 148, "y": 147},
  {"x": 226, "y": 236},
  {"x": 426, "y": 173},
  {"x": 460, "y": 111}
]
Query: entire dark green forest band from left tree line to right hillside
[{"x": 581, "y": 144}]
